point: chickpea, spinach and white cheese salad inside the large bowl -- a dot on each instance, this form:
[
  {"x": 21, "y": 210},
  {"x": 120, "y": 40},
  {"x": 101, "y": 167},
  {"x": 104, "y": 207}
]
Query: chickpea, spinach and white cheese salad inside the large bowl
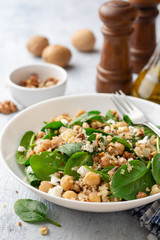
[{"x": 92, "y": 158}]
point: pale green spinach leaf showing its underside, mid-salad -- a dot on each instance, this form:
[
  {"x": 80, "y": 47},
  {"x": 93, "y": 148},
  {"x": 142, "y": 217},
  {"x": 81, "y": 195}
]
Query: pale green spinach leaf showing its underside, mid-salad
[{"x": 70, "y": 148}]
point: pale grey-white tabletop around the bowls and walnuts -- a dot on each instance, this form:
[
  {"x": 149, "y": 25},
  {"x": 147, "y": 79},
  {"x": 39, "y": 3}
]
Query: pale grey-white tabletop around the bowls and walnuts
[{"x": 56, "y": 19}]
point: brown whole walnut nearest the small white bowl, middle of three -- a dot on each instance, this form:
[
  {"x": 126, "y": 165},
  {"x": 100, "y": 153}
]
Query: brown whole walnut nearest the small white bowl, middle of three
[{"x": 57, "y": 54}]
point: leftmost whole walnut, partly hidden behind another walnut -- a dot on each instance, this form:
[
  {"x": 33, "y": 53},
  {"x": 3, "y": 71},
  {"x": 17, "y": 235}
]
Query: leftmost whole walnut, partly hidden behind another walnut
[{"x": 36, "y": 44}]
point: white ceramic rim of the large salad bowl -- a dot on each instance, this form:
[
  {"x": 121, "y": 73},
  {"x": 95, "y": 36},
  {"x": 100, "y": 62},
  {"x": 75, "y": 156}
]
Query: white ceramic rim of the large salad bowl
[{"x": 125, "y": 205}]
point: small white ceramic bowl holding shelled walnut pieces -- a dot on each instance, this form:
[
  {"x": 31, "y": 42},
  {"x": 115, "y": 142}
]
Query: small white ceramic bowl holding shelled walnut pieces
[{"x": 28, "y": 96}]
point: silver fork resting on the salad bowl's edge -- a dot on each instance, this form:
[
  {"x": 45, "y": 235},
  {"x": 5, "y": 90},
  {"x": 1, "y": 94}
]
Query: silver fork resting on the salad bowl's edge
[{"x": 125, "y": 106}]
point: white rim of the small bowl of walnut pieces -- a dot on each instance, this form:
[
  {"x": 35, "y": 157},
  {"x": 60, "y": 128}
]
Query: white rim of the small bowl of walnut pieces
[{"x": 54, "y": 66}]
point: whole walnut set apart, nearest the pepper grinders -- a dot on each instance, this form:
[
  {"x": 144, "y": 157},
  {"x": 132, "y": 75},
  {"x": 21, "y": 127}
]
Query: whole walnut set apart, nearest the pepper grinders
[{"x": 83, "y": 40}]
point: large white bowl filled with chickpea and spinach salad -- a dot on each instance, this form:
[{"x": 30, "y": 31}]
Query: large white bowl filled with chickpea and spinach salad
[{"x": 77, "y": 152}]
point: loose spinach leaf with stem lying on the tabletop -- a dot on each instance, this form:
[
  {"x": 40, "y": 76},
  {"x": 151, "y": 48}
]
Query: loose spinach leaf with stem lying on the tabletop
[{"x": 32, "y": 211}]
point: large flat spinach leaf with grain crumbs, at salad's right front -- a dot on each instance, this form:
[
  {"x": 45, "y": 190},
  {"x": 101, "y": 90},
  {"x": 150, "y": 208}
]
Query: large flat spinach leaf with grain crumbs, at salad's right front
[{"x": 127, "y": 184}]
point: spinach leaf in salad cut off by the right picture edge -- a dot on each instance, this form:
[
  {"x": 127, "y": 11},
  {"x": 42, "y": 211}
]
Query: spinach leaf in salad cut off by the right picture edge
[{"x": 156, "y": 167}]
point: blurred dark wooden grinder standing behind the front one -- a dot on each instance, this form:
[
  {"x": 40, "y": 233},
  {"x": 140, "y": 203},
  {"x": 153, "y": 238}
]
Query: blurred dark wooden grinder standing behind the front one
[{"x": 143, "y": 40}]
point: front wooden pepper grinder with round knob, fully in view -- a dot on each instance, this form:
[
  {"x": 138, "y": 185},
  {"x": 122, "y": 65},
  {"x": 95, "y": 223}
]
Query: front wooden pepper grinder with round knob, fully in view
[{"x": 115, "y": 70}]
